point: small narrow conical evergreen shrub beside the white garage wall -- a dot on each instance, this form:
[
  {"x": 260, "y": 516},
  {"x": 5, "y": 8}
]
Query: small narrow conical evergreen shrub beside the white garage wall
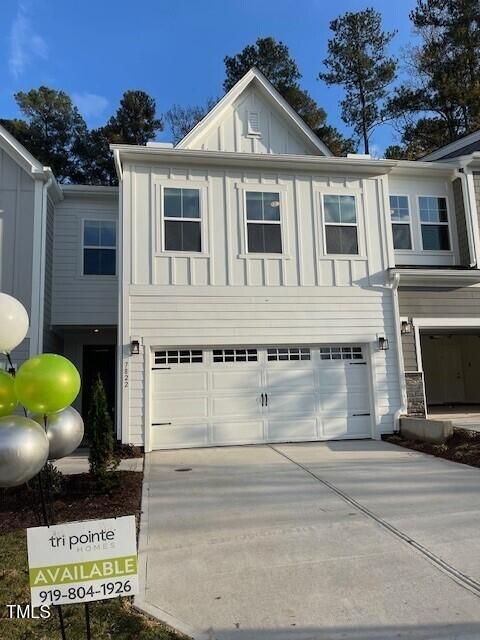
[{"x": 102, "y": 458}]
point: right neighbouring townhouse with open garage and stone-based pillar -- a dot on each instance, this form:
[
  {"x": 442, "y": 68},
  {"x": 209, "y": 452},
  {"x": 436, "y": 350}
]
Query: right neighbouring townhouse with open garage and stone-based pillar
[{"x": 437, "y": 254}]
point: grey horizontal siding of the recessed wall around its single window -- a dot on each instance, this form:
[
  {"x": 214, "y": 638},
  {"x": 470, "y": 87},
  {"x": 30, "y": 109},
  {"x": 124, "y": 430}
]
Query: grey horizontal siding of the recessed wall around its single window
[{"x": 79, "y": 299}]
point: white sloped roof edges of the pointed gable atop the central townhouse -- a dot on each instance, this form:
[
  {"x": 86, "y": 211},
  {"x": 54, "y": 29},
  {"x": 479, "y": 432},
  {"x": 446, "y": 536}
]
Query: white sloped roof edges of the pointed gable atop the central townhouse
[{"x": 260, "y": 81}]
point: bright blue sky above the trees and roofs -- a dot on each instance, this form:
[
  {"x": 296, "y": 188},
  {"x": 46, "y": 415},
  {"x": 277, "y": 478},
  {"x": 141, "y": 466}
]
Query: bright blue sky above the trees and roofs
[{"x": 173, "y": 49}]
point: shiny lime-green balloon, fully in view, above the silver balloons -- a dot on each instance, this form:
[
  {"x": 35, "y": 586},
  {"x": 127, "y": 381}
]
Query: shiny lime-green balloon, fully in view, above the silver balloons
[{"x": 47, "y": 383}]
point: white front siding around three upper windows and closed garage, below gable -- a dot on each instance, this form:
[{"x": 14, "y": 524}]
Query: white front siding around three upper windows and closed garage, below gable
[{"x": 227, "y": 297}]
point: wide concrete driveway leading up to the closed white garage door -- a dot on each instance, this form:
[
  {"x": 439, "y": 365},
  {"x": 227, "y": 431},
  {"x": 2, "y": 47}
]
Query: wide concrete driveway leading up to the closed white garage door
[{"x": 340, "y": 540}]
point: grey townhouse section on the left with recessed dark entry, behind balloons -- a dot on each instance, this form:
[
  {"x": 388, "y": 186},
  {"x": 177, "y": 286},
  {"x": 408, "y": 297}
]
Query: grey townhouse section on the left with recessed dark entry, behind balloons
[{"x": 58, "y": 256}]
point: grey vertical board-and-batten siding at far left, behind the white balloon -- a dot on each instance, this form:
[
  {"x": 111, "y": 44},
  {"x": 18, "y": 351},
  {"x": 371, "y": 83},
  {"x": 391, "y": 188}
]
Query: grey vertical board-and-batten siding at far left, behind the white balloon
[{"x": 17, "y": 204}]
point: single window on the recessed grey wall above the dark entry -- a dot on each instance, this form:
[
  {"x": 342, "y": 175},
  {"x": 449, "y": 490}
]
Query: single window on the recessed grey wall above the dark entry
[{"x": 99, "y": 248}]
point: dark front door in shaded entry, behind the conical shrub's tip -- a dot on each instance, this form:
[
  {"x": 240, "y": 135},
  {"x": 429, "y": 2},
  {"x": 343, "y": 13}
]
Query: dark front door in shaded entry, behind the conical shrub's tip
[{"x": 100, "y": 361}]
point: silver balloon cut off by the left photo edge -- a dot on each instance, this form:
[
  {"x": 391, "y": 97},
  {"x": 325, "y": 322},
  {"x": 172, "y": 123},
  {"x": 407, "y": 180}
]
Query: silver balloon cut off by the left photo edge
[{"x": 23, "y": 450}]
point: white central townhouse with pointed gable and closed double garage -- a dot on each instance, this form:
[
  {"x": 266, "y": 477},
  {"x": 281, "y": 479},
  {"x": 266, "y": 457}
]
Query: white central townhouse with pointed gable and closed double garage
[{"x": 257, "y": 303}]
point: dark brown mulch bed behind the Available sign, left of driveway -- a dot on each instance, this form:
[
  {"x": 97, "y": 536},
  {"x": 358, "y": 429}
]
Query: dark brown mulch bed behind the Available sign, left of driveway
[{"x": 78, "y": 499}]
